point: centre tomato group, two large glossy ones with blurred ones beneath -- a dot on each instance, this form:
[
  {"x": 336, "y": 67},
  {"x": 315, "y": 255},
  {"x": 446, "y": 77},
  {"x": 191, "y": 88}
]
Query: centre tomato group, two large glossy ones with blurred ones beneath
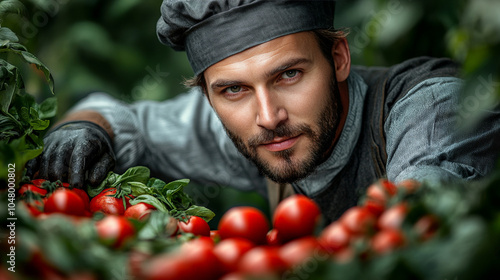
[{"x": 244, "y": 244}]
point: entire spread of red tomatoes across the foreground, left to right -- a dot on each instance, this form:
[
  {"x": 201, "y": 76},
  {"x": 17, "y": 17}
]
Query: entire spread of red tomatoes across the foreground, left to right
[{"x": 246, "y": 243}]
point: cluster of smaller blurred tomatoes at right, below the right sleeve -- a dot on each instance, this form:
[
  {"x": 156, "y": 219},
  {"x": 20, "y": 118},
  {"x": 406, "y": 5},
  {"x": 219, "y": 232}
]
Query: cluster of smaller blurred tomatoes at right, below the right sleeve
[{"x": 375, "y": 224}]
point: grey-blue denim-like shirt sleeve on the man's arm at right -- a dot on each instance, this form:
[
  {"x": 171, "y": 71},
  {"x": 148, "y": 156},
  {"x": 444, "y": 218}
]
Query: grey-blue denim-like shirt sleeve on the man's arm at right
[{"x": 426, "y": 142}]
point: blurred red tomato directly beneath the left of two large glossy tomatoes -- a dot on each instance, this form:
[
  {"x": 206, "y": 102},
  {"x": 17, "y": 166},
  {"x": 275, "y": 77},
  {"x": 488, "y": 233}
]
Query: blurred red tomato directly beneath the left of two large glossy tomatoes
[{"x": 230, "y": 250}]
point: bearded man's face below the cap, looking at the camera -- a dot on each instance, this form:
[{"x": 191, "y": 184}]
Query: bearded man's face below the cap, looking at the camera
[{"x": 278, "y": 102}]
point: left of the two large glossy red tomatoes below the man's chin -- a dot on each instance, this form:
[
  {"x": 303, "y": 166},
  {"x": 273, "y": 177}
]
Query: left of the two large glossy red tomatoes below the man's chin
[{"x": 245, "y": 222}]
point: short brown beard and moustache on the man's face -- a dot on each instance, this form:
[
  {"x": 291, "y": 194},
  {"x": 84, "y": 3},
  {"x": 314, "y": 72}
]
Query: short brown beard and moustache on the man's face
[{"x": 321, "y": 140}]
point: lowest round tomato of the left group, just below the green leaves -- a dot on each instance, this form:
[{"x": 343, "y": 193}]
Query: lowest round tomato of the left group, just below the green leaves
[{"x": 115, "y": 230}]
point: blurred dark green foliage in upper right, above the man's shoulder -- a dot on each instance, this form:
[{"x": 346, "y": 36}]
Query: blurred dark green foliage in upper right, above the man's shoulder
[{"x": 385, "y": 32}]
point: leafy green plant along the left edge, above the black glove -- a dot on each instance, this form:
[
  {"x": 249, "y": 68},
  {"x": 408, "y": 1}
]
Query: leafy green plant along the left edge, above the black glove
[{"x": 23, "y": 121}]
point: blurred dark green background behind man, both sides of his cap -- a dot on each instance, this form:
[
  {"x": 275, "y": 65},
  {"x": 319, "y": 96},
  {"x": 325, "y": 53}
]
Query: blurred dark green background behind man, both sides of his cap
[{"x": 111, "y": 46}]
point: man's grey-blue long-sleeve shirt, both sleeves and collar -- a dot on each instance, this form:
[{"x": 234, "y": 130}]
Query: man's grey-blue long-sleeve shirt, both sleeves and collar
[{"x": 183, "y": 138}]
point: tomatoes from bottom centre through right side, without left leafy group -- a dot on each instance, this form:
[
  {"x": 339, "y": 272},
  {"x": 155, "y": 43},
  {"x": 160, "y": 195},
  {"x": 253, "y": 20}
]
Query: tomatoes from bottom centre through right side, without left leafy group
[{"x": 246, "y": 244}]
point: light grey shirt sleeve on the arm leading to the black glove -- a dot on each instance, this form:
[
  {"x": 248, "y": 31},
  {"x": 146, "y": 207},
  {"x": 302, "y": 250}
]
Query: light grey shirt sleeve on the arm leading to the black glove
[{"x": 178, "y": 138}]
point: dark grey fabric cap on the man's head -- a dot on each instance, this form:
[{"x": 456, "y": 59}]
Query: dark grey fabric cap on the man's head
[{"x": 212, "y": 30}]
